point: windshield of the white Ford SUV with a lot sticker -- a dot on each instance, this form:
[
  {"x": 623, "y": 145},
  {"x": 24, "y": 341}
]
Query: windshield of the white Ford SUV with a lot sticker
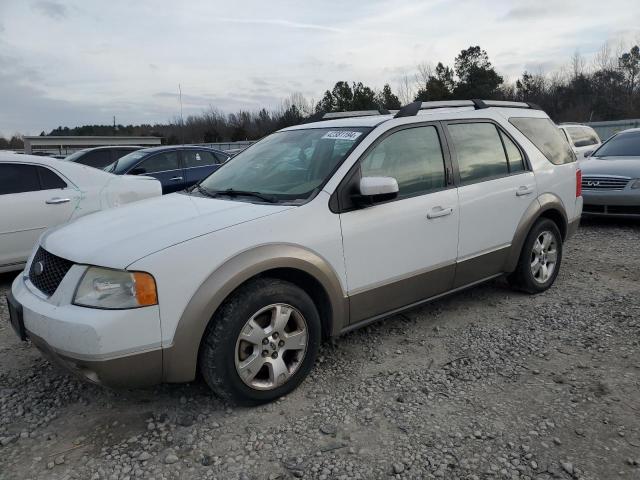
[{"x": 288, "y": 165}]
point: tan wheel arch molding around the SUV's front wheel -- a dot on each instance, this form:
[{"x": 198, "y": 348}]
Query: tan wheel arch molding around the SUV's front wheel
[{"x": 179, "y": 361}]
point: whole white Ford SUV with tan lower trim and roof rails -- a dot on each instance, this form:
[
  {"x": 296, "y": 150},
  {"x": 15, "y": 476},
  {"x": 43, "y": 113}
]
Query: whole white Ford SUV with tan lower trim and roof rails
[{"x": 313, "y": 231}]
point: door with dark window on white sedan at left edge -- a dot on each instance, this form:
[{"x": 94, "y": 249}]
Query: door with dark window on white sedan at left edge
[{"x": 32, "y": 199}]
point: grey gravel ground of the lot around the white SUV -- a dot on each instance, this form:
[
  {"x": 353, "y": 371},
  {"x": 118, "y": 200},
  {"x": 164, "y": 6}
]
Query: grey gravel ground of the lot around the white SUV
[{"x": 486, "y": 384}]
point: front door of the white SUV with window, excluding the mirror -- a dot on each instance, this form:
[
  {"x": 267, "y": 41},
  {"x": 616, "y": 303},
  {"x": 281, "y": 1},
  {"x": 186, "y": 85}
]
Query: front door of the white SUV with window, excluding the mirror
[{"x": 404, "y": 250}]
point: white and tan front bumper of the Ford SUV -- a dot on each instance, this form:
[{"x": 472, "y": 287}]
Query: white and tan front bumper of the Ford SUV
[{"x": 115, "y": 348}]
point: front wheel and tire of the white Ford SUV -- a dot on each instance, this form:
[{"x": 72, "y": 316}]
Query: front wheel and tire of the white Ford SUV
[{"x": 261, "y": 343}]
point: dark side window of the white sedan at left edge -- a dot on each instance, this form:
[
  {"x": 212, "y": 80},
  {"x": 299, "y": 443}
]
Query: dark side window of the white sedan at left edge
[{"x": 19, "y": 178}]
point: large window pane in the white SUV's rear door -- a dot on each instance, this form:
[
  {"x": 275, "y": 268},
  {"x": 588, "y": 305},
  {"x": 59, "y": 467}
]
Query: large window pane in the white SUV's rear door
[{"x": 479, "y": 151}]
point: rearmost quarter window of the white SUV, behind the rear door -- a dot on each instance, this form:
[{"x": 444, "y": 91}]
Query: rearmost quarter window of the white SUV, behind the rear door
[{"x": 544, "y": 134}]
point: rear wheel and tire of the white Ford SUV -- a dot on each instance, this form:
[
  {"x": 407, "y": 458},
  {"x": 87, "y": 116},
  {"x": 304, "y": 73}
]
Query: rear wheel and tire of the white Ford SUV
[{"x": 540, "y": 258}]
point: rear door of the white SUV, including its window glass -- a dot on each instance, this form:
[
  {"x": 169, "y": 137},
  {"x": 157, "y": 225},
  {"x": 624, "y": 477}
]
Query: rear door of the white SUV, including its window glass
[{"x": 495, "y": 188}]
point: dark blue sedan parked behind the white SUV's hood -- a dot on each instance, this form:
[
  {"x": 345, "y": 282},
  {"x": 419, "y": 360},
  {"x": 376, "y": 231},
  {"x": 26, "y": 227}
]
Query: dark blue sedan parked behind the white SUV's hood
[{"x": 177, "y": 167}]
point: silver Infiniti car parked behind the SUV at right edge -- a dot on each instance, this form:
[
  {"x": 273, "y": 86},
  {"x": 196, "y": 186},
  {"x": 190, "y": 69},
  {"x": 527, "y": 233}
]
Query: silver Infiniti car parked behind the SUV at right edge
[{"x": 611, "y": 177}]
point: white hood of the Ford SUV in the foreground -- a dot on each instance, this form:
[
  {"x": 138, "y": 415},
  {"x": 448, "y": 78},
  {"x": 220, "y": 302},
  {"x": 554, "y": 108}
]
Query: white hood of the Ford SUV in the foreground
[{"x": 118, "y": 237}]
